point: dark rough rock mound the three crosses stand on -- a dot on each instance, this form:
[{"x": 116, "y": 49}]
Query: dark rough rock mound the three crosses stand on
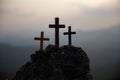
[{"x": 65, "y": 63}]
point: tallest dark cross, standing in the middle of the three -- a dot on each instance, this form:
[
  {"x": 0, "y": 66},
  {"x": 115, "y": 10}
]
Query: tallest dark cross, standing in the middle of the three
[{"x": 56, "y": 26}]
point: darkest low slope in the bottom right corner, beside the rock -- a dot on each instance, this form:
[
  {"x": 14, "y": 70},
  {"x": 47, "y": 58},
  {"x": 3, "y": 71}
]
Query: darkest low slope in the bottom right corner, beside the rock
[{"x": 108, "y": 72}]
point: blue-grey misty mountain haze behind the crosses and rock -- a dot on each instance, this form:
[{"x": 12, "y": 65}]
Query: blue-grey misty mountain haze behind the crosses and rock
[{"x": 101, "y": 46}]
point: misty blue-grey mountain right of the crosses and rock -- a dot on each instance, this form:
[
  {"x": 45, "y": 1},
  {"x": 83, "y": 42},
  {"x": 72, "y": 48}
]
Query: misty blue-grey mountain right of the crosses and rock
[{"x": 101, "y": 45}]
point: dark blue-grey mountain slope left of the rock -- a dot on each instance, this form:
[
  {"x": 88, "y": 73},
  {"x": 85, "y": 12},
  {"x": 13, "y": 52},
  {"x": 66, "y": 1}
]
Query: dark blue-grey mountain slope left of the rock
[{"x": 11, "y": 57}]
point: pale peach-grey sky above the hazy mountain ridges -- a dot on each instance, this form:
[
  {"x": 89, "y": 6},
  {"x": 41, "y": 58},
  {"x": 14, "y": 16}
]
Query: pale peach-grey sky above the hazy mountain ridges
[{"x": 29, "y": 17}]
